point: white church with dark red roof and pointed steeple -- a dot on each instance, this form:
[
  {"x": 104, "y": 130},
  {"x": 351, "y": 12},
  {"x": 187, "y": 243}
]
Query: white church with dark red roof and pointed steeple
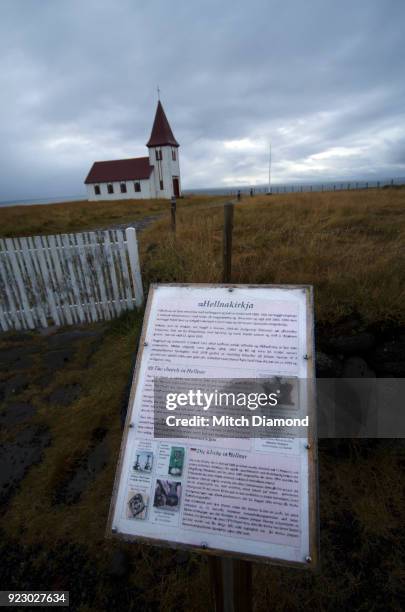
[{"x": 154, "y": 176}]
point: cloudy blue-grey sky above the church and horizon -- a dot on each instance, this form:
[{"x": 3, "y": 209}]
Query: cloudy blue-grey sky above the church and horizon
[{"x": 322, "y": 80}]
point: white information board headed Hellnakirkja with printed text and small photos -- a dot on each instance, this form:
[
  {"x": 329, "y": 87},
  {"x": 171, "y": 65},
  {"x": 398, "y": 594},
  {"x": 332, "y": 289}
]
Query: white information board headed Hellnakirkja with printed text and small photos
[{"x": 242, "y": 496}]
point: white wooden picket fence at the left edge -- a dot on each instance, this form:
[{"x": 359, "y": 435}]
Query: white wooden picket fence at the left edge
[{"x": 68, "y": 278}]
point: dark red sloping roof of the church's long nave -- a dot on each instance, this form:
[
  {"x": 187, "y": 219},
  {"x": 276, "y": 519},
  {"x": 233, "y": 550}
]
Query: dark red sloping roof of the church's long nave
[{"x": 120, "y": 170}]
